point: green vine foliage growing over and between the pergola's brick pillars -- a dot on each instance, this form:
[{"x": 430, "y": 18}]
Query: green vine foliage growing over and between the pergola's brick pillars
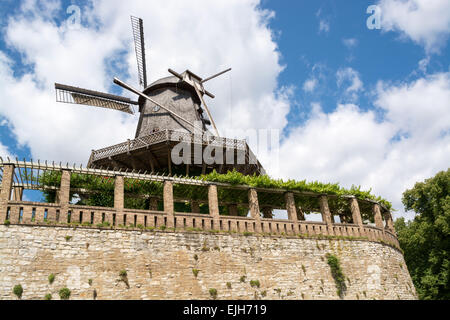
[{"x": 102, "y": 192}]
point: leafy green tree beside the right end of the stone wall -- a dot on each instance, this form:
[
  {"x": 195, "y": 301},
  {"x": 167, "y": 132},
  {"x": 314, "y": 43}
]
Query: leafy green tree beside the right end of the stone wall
[{"x": 426, "y": 240}]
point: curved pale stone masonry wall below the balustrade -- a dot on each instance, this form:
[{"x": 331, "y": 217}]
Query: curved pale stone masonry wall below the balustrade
[{"x": 159, "y": 265}]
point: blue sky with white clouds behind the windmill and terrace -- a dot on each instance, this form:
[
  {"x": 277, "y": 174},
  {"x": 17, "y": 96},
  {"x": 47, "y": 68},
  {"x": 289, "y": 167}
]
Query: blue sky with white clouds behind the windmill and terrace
[{"x": 353, "y": 105}]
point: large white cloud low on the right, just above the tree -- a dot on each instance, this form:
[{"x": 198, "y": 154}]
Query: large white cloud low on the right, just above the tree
[{"x": 351, "y": 146}]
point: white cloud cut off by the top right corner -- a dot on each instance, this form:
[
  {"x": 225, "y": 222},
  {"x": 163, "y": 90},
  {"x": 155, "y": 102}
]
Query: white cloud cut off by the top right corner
[{"x": 426, "y": 22}]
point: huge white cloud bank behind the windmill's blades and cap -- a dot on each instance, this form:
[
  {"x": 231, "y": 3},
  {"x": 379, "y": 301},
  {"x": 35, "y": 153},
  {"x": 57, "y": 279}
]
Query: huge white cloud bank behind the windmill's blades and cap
[{"x": 203, "y": 36}]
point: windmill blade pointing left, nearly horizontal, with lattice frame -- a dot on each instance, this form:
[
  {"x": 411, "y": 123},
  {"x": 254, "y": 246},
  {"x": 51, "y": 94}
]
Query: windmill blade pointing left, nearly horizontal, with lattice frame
[{"x": 75, "y": 95}]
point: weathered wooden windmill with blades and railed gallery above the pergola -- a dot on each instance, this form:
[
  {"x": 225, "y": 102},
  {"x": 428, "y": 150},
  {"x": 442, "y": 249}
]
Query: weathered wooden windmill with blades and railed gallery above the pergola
[{"x": 172, "y": 109}]
